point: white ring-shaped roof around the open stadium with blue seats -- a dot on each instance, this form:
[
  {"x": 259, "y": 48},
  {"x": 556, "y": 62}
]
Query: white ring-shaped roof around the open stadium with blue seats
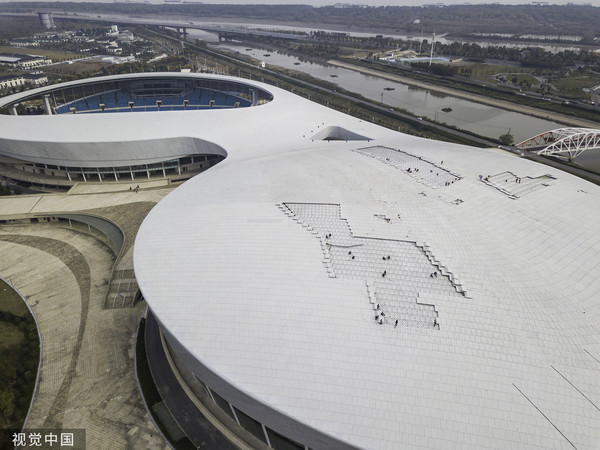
[{"x": 119, "y": 139}]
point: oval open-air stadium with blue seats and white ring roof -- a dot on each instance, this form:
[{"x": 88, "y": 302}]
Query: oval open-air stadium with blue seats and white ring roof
[{"x": 66, "y": 134}]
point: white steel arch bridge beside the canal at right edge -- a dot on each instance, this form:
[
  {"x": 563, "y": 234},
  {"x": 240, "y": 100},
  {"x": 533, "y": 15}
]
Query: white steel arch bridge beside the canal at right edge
[{"x": 566, "y": 143}]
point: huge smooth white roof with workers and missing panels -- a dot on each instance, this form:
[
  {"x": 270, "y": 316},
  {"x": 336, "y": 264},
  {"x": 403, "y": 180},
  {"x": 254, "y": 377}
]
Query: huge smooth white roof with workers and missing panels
[{"x": 275, "y": 309}]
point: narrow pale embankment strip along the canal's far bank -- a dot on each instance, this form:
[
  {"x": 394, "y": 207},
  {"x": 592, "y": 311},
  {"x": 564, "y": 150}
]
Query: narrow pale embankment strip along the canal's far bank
[{"x": 543, "y": 114}]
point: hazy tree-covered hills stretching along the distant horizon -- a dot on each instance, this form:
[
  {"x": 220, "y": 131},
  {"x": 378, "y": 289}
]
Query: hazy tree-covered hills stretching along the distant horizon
[{"x": 578, "y": 19}]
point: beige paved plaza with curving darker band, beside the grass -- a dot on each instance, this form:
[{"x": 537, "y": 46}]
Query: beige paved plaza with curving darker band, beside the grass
[{"x": 87, "y": 378}]
